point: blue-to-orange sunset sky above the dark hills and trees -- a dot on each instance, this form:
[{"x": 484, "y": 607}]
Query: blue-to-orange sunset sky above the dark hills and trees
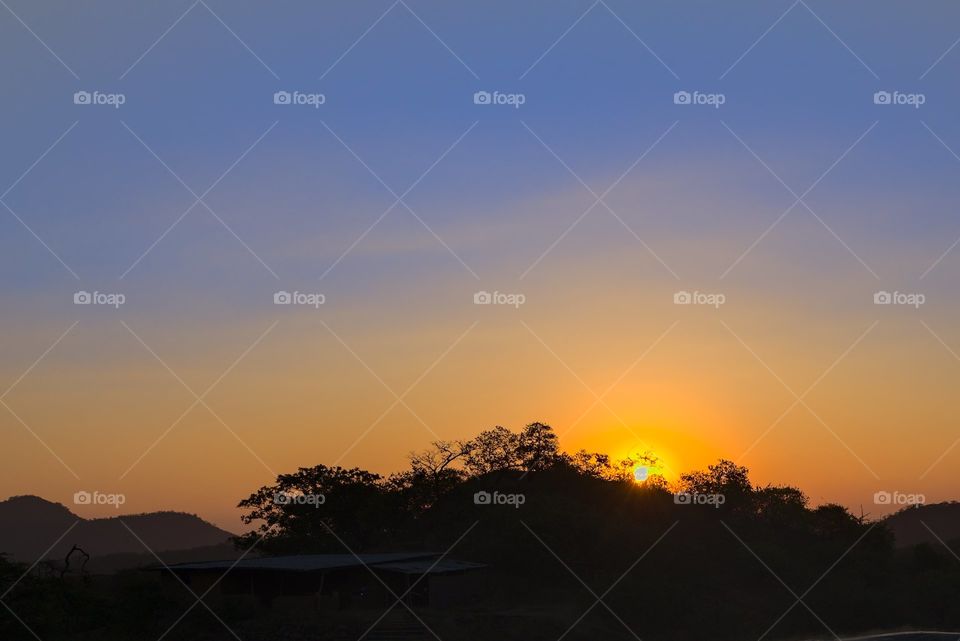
[{"x": 629, "y": 153}]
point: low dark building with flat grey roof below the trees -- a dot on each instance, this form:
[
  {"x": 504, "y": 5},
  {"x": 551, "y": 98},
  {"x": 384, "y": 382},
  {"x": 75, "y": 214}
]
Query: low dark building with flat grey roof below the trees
[{"x": 323, "y": 582}]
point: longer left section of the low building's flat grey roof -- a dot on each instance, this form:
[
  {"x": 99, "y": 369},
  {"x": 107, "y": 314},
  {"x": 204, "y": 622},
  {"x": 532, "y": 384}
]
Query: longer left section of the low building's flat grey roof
[{"x": 307, "y": 562}]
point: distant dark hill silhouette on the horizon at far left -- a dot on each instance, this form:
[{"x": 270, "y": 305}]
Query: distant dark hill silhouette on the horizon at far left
[{"x": 31, "y": 525}]
